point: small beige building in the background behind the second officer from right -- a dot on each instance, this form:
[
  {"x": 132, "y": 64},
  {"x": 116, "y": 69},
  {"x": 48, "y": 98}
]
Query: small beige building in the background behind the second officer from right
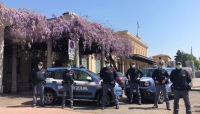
[{"x": 162, "y": 57}]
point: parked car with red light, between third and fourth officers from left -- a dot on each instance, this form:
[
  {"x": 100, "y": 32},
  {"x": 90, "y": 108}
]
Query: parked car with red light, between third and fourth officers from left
[{"x": 121, "y": 79}]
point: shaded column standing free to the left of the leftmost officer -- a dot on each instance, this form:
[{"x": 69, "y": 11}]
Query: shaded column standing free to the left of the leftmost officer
[{"x": 14, "y": 69}]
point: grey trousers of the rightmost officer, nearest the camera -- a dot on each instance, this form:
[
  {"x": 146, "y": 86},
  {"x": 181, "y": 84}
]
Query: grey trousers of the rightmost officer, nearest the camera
[{"x": 185, "y": 95}]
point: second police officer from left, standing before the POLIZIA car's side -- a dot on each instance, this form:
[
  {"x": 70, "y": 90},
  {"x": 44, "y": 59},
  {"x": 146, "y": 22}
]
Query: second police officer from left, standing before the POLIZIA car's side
[{"x": 68, "y": 80}]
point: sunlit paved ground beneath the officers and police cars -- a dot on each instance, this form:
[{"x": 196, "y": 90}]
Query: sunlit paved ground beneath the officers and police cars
[{"x": 19, "y": 104}]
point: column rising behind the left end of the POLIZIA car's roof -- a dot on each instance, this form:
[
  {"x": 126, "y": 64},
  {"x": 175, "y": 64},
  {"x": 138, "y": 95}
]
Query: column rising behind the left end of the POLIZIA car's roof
[{"x": 49, "y": 53}]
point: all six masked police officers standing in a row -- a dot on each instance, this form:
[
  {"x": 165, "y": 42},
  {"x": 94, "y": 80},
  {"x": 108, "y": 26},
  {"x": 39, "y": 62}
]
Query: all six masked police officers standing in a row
[{"x": 179, "y": 77}]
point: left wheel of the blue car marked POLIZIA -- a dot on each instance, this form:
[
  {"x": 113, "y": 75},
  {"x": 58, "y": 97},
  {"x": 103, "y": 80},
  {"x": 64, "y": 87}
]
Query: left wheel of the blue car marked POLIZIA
[{"x": 49, "y": 97}]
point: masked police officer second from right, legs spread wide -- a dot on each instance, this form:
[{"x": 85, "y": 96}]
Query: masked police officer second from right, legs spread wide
[{"x": 161, "y": 77}]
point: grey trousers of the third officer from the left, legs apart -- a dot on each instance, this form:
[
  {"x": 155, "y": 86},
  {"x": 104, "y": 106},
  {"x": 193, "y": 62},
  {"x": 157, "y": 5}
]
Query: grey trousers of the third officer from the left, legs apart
[{"x": 105, "y": 91}]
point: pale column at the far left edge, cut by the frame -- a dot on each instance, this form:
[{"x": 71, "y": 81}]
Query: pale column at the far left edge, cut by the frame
[{"x": 1, "y": 57}]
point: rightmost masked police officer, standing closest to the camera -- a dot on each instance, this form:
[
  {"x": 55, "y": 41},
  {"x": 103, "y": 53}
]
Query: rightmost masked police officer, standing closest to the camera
[{"x": 180, "y": 79}]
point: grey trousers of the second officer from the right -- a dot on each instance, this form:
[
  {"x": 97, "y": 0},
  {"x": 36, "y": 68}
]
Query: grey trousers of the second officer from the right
[{"x": 164, "y": 90}]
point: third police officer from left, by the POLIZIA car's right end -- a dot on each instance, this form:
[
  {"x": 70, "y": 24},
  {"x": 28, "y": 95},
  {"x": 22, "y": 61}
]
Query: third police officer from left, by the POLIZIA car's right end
[{"x": 108, "y": 74}]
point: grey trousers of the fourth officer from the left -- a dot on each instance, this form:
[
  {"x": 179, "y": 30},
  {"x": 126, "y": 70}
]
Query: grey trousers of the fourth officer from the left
[{"x": 136, "y": 86}]
